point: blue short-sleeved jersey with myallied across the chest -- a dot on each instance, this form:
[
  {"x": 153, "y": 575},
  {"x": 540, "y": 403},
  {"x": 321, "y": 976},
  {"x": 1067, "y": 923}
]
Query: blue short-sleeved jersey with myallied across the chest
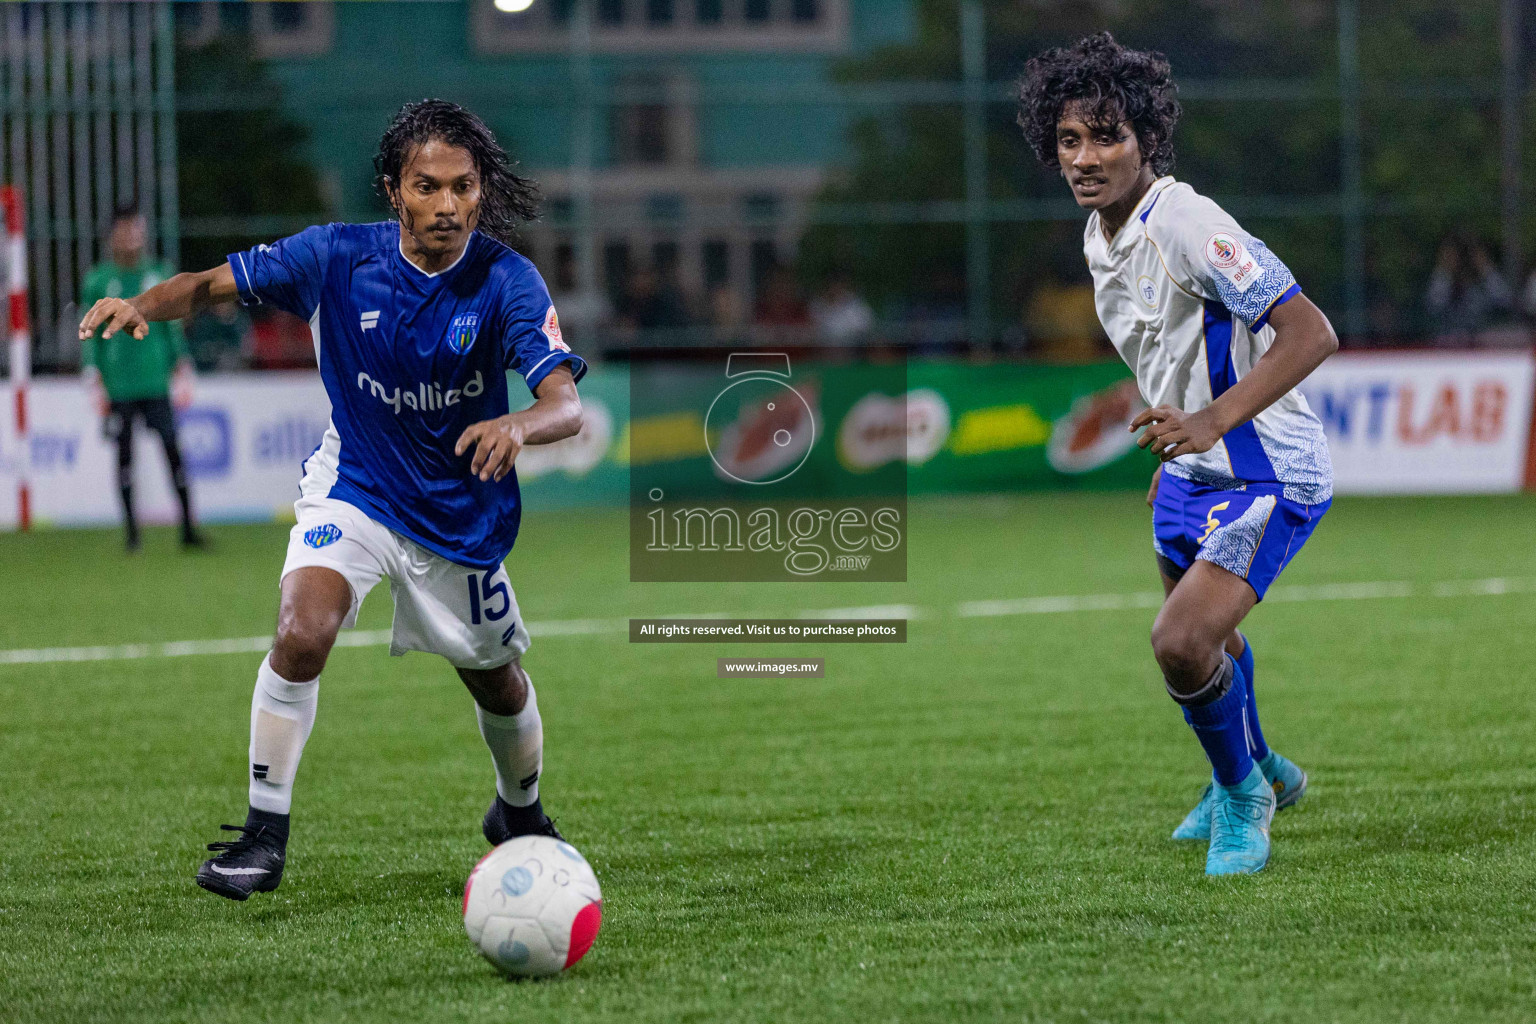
[{"x": 411, "y": 360}]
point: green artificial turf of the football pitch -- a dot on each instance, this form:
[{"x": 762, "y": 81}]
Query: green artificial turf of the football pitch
[{"x": 967, "y": 827}]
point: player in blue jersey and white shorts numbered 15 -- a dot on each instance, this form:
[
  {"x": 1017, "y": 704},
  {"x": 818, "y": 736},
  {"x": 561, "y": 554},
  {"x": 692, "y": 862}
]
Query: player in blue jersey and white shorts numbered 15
[{"x": 417, "y": 323}]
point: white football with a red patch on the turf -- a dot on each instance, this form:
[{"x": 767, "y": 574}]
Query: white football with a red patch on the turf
[{"x": 532, "y": 907}]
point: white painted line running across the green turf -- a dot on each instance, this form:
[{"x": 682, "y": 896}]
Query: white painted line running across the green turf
[{"x": 1491, "y": 587}]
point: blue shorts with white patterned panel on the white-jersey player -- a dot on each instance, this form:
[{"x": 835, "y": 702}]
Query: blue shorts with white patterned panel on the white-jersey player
[{"x": 1253, "y": 533}]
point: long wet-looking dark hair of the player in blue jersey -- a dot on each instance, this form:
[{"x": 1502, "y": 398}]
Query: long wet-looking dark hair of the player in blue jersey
[{"x": 506, "y": 199}]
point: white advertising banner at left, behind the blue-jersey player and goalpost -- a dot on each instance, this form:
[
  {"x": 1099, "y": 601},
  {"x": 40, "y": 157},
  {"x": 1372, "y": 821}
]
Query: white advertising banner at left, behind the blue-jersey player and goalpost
[{"x": 243, "y": 440}]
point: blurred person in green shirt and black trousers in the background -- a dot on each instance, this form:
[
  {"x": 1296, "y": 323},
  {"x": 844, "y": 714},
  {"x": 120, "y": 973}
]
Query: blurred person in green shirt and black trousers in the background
[{"x": 136, "y": 372}]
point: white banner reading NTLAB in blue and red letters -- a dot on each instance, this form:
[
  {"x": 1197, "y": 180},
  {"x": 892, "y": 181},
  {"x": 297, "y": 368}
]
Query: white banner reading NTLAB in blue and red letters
[{"x": 1426, "y": 423}]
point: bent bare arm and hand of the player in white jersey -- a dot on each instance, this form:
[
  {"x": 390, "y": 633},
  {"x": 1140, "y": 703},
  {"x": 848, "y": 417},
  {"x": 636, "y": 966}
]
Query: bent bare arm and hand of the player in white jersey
[{"x": 1303, "y": 340}]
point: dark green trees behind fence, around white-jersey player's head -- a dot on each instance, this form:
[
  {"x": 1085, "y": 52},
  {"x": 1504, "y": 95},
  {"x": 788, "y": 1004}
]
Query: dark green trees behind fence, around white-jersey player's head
[{"x": 1260, "y": 134}]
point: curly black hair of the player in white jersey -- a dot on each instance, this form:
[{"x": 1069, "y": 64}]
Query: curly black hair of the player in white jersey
[{"x": 1114, "y": 84}]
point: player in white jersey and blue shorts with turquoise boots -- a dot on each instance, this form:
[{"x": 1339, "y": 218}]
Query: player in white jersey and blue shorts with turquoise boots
[{"x": 1219, "y": 335}]
